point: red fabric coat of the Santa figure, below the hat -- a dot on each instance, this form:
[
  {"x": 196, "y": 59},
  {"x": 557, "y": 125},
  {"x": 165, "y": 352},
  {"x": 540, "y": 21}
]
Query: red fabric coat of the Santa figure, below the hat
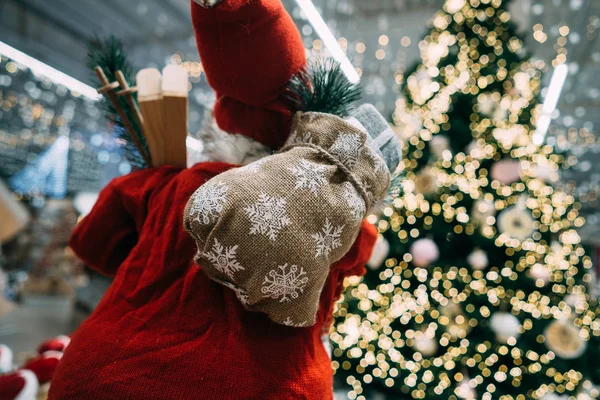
[{"x": 164, "y": 330}]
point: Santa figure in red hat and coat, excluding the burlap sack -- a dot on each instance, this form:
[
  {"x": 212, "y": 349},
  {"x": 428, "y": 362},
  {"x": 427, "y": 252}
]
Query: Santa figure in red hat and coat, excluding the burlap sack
[{"x": 164, "y": 329}]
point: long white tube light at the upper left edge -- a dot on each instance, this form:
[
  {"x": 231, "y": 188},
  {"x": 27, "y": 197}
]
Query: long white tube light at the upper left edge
[{"x": 38, "y": 67}]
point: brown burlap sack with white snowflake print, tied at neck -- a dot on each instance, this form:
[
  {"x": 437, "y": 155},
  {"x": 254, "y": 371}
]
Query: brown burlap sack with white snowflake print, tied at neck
[{"x": 271, "y": 230}]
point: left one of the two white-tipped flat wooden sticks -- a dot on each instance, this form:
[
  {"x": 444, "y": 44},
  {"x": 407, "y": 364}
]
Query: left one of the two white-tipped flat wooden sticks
[{"x": 150, "y": 100}]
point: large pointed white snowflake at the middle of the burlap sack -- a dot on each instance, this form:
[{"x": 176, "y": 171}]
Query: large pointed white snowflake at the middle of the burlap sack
[{"x": 267, "y": 216}]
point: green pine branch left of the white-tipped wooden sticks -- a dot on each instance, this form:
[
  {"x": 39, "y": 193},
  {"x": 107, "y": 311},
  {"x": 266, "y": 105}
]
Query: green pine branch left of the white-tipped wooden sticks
[{"x": 110, "y": 55}]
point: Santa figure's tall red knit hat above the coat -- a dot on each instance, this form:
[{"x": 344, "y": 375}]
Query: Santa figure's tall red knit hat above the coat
[{"x": 249, "y": 50}]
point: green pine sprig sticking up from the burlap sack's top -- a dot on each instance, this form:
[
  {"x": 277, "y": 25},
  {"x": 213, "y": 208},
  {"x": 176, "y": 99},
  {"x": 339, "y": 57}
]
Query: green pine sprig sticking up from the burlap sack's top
[{"x": 323, "y": 87}]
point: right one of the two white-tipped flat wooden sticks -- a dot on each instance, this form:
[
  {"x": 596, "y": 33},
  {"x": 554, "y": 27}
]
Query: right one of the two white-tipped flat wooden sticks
[{"x": 175, "y": 108}]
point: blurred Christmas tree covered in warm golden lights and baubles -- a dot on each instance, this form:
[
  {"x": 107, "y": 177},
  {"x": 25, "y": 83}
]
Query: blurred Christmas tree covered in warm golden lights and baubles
[{"x": 481, "y": 292}]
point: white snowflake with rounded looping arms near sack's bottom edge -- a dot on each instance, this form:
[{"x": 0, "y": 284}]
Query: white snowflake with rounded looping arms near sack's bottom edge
[{"x": 284, "y": 284}]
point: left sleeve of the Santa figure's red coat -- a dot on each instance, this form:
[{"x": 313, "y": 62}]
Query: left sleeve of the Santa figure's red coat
[{"x": 104, "y": 238}]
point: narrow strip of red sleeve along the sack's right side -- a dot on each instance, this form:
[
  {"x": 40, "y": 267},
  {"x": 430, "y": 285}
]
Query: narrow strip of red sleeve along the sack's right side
[{"x": 353, "y": 263}]
